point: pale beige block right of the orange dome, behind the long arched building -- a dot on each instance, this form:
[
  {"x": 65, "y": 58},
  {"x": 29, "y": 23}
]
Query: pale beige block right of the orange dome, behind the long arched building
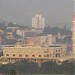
[{"x": 48, "y": 39}]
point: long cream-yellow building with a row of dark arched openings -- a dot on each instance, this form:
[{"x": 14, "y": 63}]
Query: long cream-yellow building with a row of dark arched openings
[{"x": 33, "y": 53}]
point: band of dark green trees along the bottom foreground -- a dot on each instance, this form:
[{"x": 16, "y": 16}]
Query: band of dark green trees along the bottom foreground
[{"x": 49, "y": 67}]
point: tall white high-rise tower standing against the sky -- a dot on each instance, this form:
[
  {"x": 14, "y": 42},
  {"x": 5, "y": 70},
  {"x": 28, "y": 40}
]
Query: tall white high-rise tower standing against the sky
[{"x": 38, "y": 22}]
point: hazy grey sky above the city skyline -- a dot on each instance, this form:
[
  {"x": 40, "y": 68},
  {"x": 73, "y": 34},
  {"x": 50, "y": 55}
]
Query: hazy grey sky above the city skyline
[{"x": 22, "y": 11}]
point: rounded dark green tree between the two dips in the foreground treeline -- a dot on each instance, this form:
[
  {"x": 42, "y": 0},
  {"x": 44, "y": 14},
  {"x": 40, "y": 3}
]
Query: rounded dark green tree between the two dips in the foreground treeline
[{"x": 49, "y": 67}]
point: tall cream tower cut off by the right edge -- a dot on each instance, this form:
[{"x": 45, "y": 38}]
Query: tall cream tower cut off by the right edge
[{"x": 73, "y": 36}]
